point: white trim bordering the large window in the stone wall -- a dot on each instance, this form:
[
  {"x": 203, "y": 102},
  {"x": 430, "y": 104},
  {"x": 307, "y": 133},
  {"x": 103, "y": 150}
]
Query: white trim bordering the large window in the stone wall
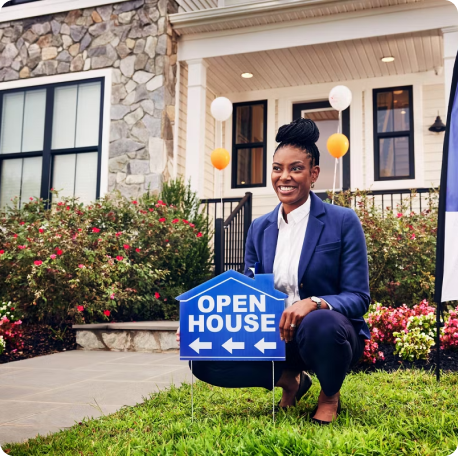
[{"x": 106, "y": 75}]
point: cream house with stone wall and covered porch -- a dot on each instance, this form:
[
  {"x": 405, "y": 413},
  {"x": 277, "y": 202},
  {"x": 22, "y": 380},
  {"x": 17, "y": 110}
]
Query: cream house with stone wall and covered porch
[{"x": 103, "y": 95}]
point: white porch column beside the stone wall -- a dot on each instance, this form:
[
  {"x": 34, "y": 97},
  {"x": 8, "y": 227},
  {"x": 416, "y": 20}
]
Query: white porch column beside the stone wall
[{"x": 195, "y": 128}]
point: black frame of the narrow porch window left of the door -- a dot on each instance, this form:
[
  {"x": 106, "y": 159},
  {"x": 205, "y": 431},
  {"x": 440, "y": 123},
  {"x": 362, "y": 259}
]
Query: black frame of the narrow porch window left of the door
[{"x": 236, "y": 147}]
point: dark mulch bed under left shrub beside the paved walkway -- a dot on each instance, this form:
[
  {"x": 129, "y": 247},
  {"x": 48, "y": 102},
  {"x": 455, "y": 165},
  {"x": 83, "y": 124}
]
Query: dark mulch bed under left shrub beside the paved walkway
[{"x": 41, "y": 340}]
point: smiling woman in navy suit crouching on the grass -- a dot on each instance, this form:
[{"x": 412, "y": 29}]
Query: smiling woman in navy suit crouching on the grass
[{"x": 317, "y": 254}]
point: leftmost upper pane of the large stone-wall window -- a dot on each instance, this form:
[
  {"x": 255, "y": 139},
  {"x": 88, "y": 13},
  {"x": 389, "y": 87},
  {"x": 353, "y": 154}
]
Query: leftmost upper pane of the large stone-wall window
[{"x": 12, "y": 116}]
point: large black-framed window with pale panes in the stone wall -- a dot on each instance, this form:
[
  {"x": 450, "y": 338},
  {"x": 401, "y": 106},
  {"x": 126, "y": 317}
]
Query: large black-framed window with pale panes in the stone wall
[{"x": 50, "y": 137}]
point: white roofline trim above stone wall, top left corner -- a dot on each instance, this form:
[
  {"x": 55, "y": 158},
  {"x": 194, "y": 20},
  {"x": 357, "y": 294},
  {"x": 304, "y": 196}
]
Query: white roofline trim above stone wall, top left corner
[{"x": 44, "y": 7}]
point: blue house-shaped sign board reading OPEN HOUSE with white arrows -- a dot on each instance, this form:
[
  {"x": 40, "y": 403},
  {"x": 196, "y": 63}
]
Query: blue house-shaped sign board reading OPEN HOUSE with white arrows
[{"x": 232, "y": 318}]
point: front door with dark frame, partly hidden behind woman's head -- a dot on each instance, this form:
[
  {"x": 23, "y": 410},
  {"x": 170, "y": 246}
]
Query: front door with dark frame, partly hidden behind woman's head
[{"x": 327, "y": 121}]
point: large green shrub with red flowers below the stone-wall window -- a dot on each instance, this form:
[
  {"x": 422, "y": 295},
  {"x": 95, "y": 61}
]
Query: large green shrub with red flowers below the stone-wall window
[{"x": 113, "y": 259}]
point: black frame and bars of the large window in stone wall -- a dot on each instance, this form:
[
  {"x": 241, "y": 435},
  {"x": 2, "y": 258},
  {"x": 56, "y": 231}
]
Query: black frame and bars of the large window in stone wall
[{"x": 48, "y": 153}]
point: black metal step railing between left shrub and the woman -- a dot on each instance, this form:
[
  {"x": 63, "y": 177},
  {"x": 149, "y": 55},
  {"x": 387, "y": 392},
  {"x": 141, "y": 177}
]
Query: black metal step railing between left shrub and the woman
[{"x": 230, "y": 233}]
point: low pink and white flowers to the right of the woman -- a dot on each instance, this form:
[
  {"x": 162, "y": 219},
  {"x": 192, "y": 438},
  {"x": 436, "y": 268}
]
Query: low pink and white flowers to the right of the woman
[{"x": 411, "y": 330}]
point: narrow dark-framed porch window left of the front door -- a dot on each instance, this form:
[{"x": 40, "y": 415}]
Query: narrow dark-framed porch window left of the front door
[{"x": 249, "y": 144}]
